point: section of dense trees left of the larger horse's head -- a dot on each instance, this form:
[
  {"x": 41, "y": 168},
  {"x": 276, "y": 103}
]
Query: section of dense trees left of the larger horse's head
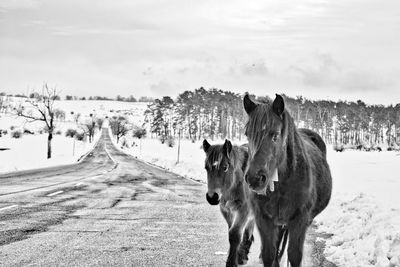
[{"x": 195, "y": 114}]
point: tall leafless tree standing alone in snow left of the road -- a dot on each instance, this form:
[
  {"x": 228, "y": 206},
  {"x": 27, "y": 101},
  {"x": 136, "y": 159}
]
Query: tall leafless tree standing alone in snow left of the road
[{"x": 42, "y": 109}]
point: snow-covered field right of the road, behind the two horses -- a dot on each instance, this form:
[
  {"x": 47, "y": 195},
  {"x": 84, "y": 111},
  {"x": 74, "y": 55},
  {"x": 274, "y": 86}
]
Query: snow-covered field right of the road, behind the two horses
[{"x": 363, "y": 217}]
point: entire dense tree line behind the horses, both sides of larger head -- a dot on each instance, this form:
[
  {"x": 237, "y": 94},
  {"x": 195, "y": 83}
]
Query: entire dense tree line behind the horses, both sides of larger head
[{"x": 218, "y": 114}]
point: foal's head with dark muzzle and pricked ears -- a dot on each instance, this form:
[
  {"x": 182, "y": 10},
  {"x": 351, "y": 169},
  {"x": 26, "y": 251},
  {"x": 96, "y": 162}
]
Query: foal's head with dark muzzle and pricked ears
[{"x": 219, "y": 170}]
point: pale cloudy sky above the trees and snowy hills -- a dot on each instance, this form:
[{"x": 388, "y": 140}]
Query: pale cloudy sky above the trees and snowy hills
[{"x": 343, "y": 49}]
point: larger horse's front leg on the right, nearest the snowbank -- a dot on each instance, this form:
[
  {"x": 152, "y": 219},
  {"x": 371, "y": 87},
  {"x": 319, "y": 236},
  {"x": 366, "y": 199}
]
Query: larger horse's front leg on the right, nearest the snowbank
[{"x": 297, "y": 234}]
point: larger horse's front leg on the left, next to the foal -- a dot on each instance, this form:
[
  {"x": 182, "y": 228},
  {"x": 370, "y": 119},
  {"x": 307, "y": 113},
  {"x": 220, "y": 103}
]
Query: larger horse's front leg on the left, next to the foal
[{"x": 269, "y": 235}]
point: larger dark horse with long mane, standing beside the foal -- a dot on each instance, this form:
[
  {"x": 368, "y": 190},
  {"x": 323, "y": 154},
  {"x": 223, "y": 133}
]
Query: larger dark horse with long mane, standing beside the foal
[{"x": 289, "y": 176}]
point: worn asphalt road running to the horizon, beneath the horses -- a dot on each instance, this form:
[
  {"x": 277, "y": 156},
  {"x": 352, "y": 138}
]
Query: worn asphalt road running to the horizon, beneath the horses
[{"x": 113, "y": 210}]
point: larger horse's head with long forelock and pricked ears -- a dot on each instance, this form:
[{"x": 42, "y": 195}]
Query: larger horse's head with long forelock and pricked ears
[{"x": 265, "y": 132}]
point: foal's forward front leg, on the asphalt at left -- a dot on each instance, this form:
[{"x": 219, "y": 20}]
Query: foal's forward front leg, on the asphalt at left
[{"x": 235, "y": 237}]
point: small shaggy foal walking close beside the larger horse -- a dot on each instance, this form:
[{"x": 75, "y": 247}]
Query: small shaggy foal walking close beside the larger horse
[{"x": 225, "y": 165}]
